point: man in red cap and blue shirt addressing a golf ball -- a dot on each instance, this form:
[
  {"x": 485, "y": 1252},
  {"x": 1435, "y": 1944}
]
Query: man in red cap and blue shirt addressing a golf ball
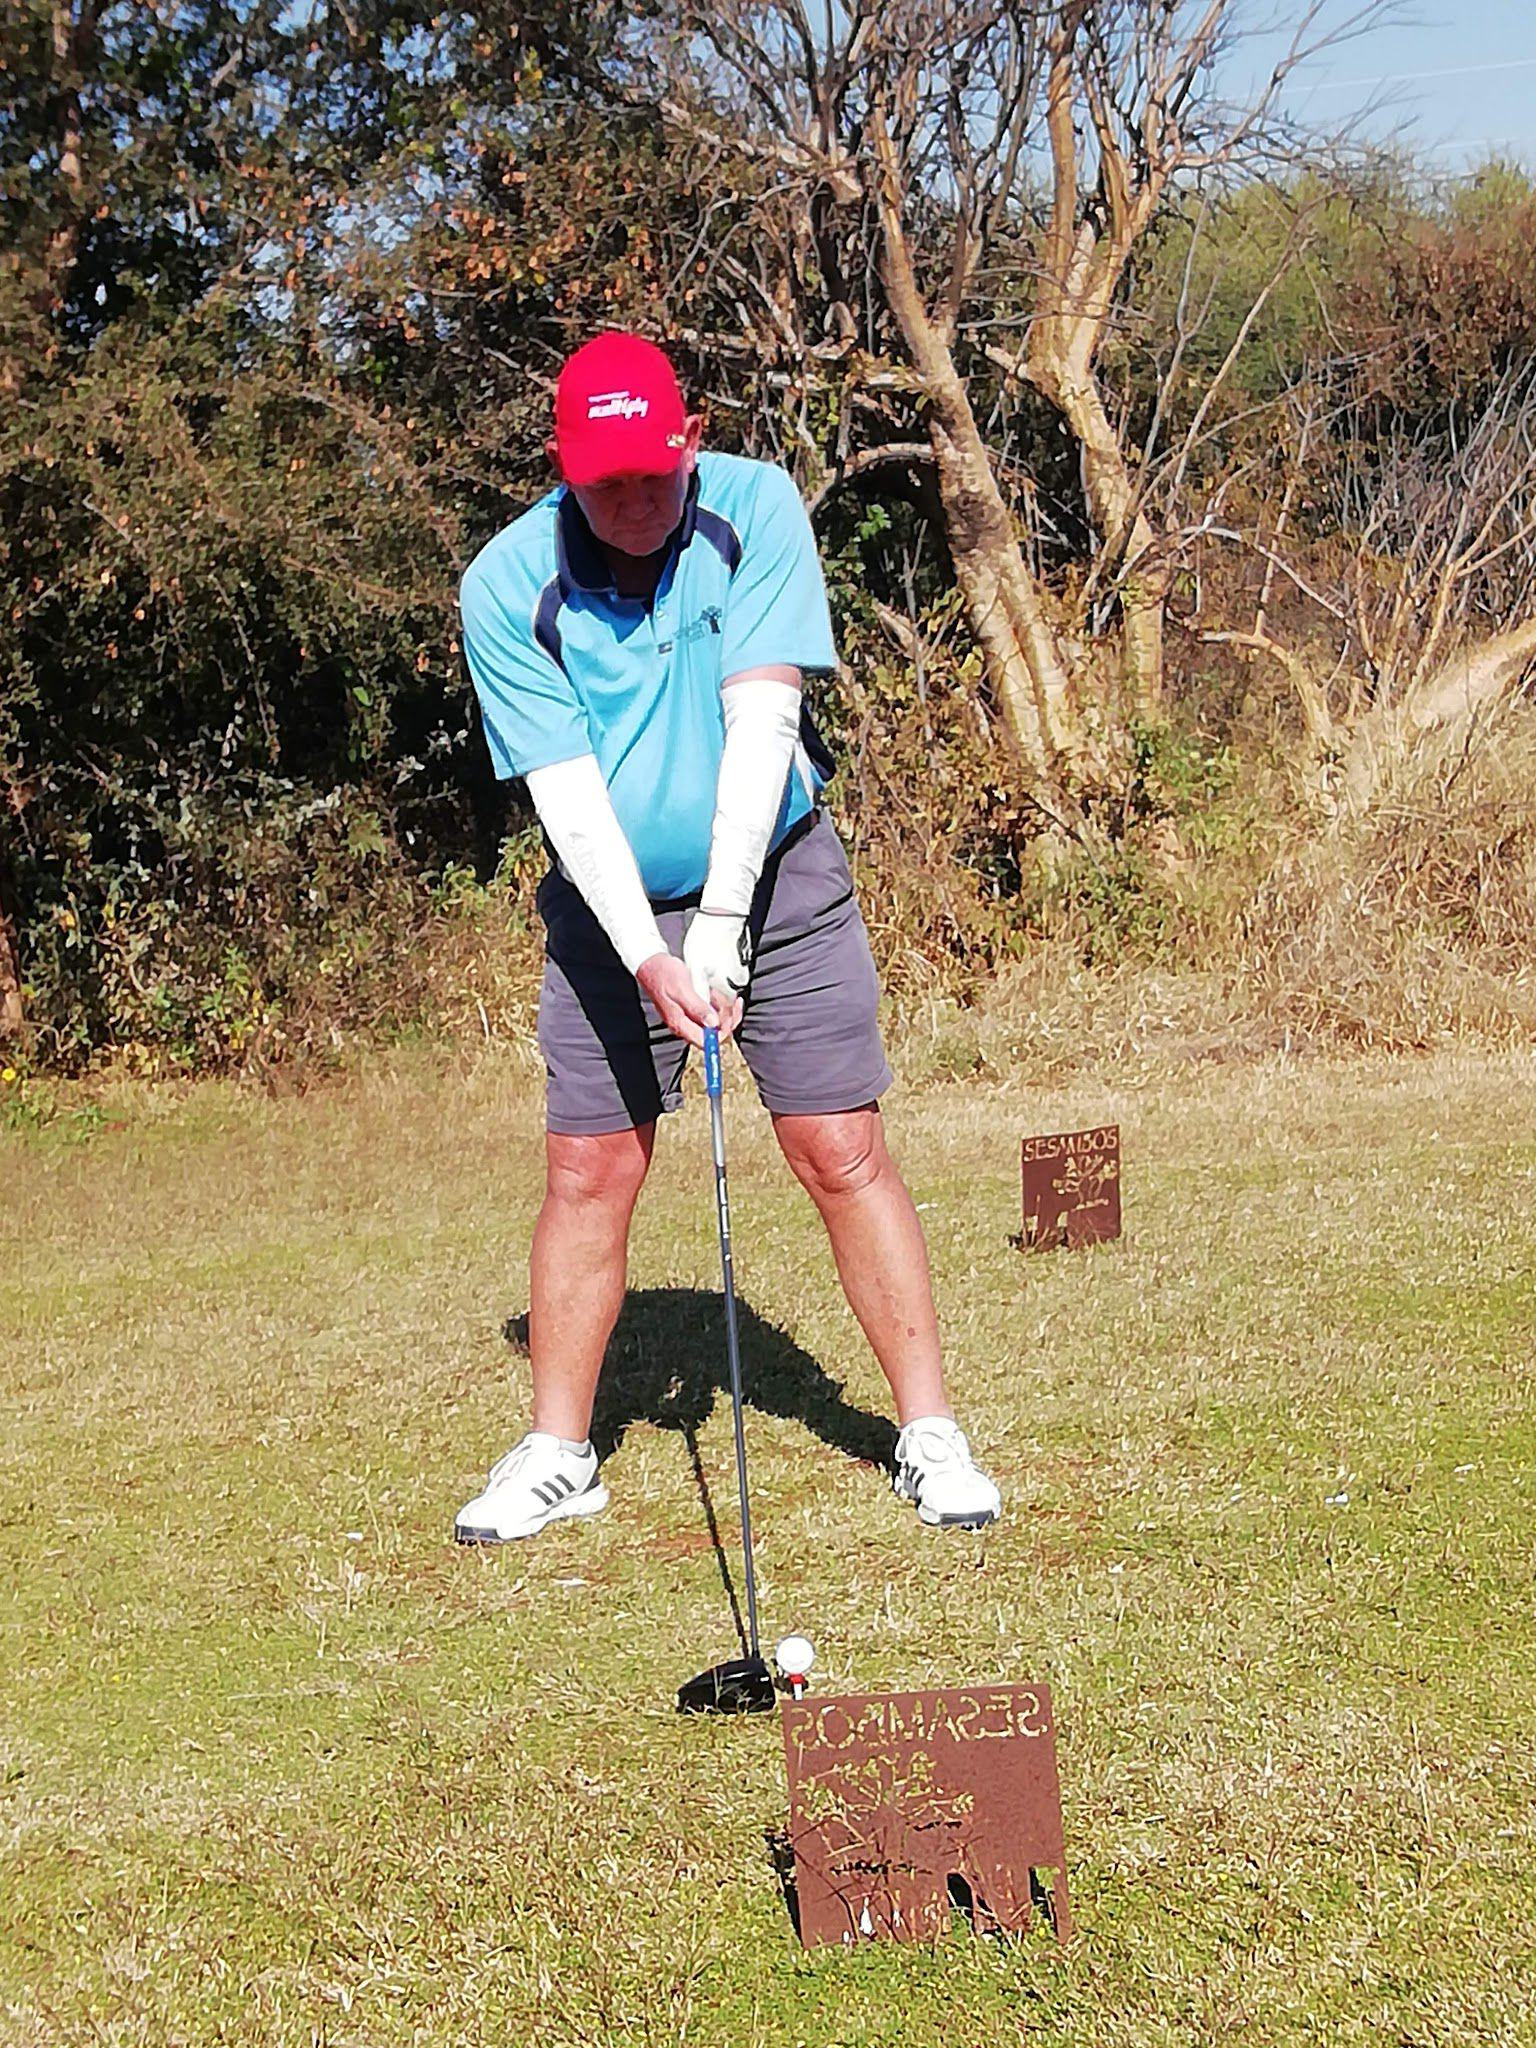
[{"x": 638, "y": 644}]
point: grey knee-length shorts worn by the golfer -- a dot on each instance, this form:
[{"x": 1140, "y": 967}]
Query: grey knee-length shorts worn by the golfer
[{"x": 810, "y": 1029}]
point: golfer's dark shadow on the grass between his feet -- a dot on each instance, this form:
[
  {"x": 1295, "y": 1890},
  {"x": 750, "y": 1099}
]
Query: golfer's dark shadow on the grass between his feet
[{"x": 667, "y": 1365}]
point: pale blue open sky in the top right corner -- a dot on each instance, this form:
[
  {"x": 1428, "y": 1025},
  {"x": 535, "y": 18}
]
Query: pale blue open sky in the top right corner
[{"x": 1457, "y": 83}]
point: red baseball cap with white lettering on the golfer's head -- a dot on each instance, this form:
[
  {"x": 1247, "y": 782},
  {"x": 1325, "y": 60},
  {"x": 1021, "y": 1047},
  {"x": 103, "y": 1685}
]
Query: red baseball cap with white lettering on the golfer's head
[{"x": 620, "y": 411}]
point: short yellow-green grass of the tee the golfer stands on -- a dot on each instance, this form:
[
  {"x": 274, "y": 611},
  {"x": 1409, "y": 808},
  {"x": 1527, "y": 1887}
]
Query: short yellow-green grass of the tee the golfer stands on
[{"x": 280, "y": 1764}]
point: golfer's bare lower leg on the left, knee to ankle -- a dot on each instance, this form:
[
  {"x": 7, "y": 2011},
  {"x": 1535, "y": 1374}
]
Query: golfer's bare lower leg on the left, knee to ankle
[{"x": 579, "y": 1269}]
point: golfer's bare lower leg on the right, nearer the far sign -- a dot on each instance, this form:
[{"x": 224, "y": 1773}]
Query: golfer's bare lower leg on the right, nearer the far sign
[{"x": 880, "y": 1246}]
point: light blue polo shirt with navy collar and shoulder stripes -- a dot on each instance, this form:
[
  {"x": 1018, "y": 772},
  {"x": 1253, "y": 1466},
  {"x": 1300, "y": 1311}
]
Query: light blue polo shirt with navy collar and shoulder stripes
[{"x": 566, "y": 667}]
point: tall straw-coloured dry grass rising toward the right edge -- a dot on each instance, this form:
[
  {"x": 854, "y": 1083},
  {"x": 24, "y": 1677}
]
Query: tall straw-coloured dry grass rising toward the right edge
[{"x": 1398, "y": 933}]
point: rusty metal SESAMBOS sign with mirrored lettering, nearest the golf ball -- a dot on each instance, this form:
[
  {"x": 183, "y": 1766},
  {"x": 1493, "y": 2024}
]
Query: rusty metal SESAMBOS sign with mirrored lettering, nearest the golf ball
[{"x": 908, "y": 1803}]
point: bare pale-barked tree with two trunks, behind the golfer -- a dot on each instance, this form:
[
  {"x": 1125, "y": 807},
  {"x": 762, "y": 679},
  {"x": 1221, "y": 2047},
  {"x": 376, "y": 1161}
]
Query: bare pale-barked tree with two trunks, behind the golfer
[{"x": 902, "y": 234}]
